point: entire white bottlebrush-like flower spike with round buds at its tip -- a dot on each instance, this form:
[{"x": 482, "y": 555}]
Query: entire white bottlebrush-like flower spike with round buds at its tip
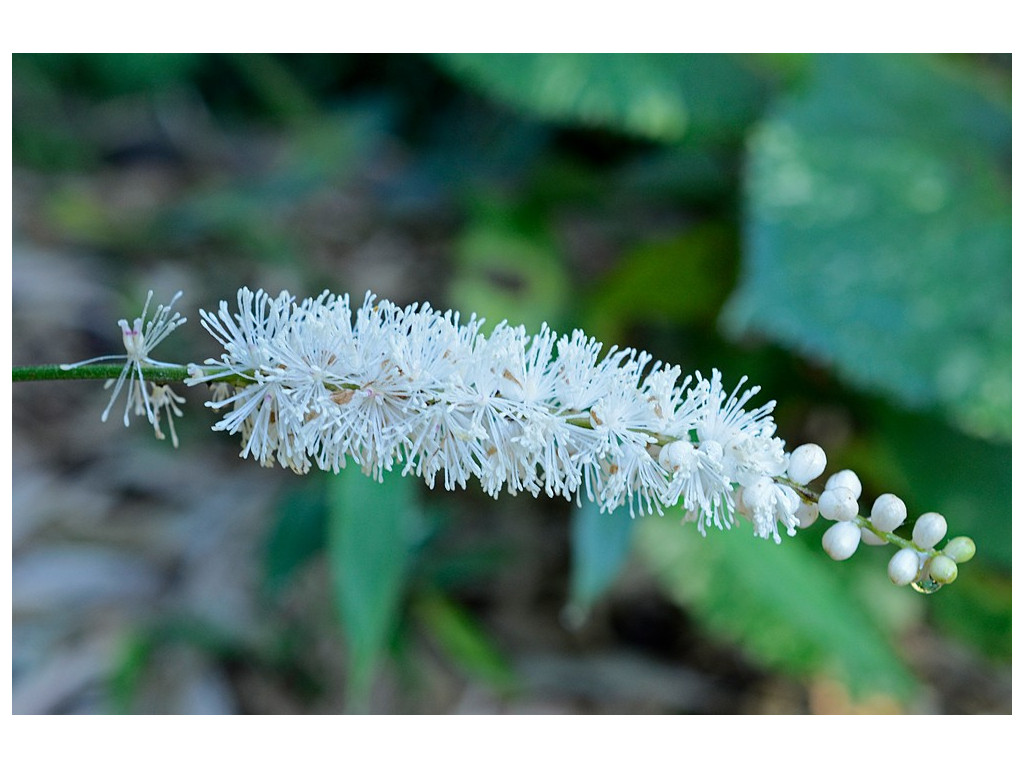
[{"x": 322, "y": 383}]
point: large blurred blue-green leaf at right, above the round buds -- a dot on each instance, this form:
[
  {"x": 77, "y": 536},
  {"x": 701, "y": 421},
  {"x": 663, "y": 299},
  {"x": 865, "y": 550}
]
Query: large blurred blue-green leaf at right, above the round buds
[{"x": 879, "y": 234}]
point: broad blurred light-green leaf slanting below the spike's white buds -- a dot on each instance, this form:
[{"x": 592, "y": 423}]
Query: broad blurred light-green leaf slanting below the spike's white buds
[{"x": 783, "y": 605}]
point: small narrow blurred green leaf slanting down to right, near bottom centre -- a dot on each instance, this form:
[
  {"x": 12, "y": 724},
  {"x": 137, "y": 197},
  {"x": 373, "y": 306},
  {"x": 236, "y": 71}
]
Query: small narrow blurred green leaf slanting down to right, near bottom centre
[{"x": 465, "y": 642}]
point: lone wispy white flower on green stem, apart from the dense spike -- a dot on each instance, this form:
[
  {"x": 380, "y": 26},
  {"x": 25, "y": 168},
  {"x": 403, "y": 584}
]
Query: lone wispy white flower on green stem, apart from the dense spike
[{"x": 140, "y": 340}]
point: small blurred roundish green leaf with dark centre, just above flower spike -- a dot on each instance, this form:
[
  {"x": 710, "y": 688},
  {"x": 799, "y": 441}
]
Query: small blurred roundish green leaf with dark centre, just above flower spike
[{"x": 507, "y": 273}]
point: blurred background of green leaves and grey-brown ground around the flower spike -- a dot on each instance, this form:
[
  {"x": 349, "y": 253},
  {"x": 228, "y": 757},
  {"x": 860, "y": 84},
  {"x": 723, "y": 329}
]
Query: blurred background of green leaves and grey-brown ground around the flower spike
[{"x": 837, "y": 228}]
